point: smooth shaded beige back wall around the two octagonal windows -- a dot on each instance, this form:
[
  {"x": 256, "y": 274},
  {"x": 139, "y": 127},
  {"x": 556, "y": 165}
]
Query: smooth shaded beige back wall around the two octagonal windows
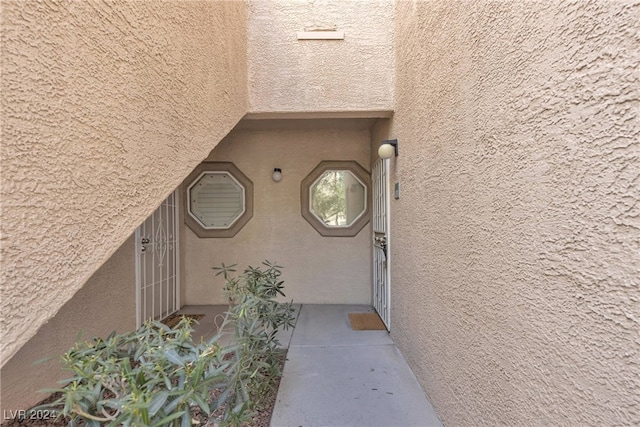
[{"x": 316, "y": 269}]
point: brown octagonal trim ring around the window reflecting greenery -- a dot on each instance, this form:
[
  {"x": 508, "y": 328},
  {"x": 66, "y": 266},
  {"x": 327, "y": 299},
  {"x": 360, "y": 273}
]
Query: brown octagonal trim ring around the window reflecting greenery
[{"x": 305, "y": 197}]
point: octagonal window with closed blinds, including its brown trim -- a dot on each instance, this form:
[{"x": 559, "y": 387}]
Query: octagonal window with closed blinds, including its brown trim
[{"x": 218, "y": 200}]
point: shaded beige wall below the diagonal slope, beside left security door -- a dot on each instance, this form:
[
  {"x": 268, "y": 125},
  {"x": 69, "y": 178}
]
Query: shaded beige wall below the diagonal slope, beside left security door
[{"x": 106, "y": 303}]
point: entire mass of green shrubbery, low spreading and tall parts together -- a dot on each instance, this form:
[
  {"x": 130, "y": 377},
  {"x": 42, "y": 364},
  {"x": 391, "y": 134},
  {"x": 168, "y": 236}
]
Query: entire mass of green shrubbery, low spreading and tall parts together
[{"x": 157, "y": 376}]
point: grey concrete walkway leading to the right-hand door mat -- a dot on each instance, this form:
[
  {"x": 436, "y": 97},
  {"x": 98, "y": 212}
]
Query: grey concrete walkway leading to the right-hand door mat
[{"x": 337, "y": 377}]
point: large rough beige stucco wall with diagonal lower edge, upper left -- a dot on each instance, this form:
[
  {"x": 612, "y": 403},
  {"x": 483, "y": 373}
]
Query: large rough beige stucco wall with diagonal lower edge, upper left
[{"x": 106, "y": 107}]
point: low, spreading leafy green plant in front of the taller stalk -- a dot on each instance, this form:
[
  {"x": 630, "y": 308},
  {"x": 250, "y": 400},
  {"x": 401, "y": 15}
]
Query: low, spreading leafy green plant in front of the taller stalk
[{"x": 154, "y": 376}]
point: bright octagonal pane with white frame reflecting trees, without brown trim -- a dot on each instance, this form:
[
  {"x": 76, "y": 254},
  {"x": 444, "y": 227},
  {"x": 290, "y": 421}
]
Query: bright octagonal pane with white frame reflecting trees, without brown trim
[{"x": 337, "y": 198}]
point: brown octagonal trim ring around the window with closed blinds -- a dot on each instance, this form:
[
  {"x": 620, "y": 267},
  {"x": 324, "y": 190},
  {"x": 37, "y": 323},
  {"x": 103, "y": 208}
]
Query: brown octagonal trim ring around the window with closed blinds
[{"x": 218, "y": 167}]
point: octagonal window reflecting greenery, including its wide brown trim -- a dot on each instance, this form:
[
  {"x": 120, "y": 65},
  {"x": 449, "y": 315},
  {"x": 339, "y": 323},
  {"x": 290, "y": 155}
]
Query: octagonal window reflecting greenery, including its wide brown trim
[{"x": 334, "y": 198}]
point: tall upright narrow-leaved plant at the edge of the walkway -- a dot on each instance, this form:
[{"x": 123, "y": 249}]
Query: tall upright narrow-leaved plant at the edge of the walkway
[{"x": 256, "y": 317}]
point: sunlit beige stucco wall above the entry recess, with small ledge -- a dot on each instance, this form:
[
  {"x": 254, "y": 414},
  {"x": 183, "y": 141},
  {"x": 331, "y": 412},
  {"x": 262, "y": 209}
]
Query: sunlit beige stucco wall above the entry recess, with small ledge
[{"x": 287, "y": 74}]
